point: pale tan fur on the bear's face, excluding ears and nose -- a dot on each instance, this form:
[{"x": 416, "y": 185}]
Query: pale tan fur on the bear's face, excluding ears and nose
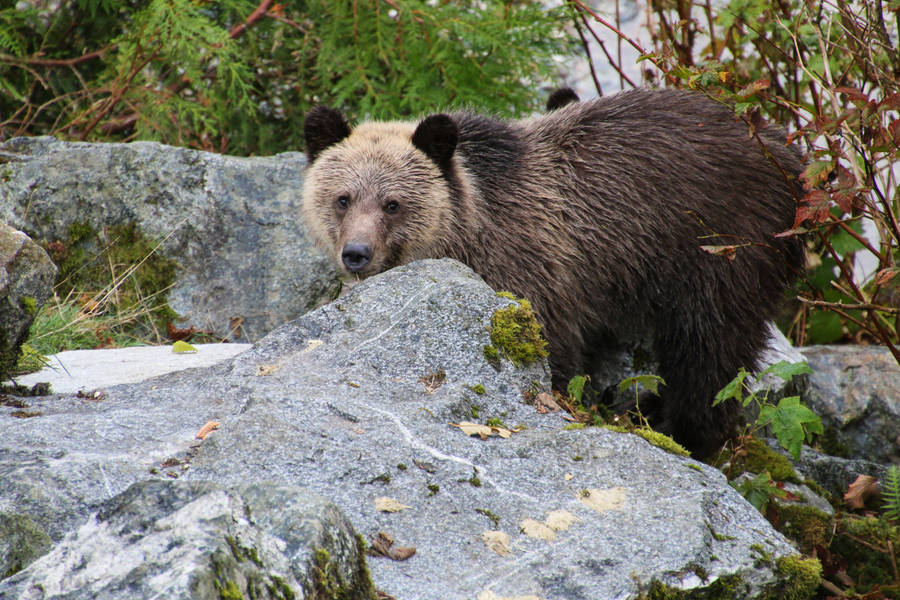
[{"x": 375, "y": 165}]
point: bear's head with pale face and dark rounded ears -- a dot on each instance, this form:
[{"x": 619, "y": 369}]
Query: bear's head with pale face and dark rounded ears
[{"x": 379, "y": 195}]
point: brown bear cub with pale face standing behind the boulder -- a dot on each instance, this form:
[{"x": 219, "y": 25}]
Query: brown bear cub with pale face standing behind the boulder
[{"x": 597, "y": 212}]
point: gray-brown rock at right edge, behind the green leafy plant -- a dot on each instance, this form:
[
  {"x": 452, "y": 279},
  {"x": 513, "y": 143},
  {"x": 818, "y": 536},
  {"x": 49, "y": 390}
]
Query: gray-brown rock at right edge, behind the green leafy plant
[{"x": 856, "y": 392}]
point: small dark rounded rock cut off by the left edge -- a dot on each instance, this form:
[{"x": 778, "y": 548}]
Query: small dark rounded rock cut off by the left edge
[{"x": 26, "y": 280}]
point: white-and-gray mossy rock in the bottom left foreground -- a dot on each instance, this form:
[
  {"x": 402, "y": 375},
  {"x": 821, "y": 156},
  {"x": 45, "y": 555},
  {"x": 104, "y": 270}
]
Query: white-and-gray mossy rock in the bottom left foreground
[{"x": 199, "y": 541}]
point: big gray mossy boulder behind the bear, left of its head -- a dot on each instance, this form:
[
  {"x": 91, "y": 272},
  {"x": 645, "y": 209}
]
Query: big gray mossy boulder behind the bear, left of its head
[{"x": 232, "y": 225}]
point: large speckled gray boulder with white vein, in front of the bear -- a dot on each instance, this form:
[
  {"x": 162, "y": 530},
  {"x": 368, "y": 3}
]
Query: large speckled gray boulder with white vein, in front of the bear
[{"x": 349, "y": 401}]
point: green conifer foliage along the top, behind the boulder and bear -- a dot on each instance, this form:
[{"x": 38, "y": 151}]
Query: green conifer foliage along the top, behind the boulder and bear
[{"x": 237, "y": 76}]
